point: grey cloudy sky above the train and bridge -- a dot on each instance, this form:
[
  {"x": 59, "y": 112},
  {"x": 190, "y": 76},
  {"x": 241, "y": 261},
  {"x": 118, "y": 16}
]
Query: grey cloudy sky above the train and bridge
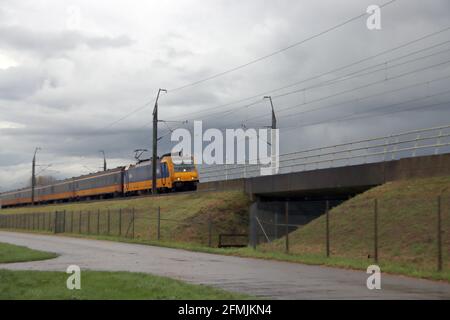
[{"x": 77, "y": 77}]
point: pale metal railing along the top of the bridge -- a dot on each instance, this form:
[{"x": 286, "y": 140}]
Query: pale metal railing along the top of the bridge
[{"x": 430, "y": 141}]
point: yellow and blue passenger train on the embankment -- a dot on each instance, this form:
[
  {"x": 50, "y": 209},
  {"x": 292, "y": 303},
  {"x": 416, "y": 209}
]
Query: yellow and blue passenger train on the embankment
[{"x": 132, "y": 180}]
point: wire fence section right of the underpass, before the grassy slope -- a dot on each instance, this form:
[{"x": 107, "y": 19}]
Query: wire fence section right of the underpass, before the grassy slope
[{"x": 408, "y": 231}]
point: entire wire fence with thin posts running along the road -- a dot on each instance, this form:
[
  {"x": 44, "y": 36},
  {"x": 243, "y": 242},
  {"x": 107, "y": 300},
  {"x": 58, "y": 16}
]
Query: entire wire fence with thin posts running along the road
[{"x": 407, "y": 230}]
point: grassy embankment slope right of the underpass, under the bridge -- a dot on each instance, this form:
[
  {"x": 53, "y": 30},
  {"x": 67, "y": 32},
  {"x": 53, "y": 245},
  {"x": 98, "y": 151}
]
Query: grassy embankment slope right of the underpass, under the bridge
[{"x": 407, "y": 230}]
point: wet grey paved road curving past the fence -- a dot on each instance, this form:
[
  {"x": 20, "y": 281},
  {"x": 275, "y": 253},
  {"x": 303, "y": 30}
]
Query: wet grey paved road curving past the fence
[{"x": 272, "y": 279}]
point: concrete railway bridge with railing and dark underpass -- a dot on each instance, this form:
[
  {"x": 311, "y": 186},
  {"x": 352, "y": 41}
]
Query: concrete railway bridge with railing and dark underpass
[{"x": 310, "y": 180}]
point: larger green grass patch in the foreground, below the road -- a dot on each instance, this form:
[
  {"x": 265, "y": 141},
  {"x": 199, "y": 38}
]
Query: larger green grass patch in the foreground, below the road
[{"x": 39, "y": 285}]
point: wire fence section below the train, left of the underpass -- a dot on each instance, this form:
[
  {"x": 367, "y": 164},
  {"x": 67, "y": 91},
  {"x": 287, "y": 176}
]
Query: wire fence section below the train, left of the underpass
[{"x": 204, "y": 229}]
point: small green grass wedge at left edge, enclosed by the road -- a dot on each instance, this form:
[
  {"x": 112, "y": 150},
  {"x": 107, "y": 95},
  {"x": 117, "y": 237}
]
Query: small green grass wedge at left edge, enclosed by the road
[{"x": 11, "y": 253}]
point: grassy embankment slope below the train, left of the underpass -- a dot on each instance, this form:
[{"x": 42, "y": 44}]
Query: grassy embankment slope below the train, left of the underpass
[{"x": 184, "y": 217}]
